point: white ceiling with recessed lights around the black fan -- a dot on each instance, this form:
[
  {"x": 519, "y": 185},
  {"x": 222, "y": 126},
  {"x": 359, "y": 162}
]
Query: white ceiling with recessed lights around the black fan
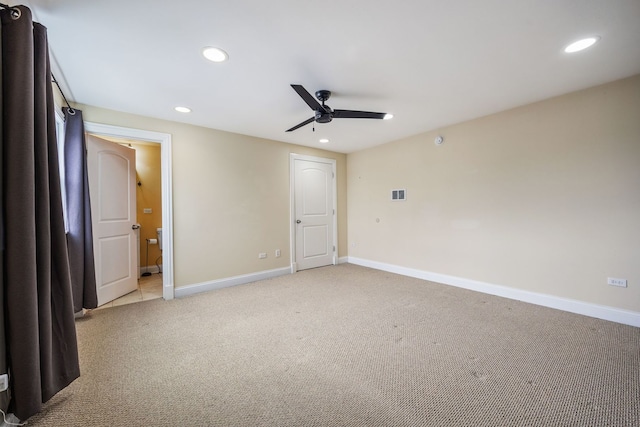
[{"x": 429, "y": 62}]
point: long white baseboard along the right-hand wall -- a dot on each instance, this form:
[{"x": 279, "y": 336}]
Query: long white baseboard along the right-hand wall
[{"x": 626, "y": 317}]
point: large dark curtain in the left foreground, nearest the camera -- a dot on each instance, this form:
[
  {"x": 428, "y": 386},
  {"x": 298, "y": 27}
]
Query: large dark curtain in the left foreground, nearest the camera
[{"x": 39, "y": 323}]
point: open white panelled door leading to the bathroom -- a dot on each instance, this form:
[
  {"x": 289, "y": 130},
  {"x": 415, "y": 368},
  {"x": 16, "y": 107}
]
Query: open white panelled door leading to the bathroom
[{"x": 112, "y": 176}]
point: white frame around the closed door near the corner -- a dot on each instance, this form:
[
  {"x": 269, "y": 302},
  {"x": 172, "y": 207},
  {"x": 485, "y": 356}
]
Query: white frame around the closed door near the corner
[{"x": 292, "y": 220}]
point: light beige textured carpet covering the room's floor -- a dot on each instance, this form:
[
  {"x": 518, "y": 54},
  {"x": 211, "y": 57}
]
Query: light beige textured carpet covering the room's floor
[{"x": 349, "y": 346}]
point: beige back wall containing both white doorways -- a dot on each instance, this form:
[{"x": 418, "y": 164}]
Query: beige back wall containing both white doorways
[{"x": 230, "y": 197}]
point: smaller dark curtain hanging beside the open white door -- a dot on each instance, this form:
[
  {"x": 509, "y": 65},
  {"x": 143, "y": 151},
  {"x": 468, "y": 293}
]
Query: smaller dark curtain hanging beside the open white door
[{"x": 79, "y": 235}]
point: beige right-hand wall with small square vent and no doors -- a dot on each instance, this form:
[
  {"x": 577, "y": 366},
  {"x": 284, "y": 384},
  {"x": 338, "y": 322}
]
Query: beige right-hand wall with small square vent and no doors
[{"x": 543, "y": 198}]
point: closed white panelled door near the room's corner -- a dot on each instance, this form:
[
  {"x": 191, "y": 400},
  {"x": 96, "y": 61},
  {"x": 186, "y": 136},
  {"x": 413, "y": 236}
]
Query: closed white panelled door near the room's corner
[{"x": 314, "y": 213}]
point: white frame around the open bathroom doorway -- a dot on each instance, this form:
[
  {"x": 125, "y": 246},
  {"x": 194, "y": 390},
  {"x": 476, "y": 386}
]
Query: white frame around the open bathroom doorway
[{"x": 164, "y": 139}]
